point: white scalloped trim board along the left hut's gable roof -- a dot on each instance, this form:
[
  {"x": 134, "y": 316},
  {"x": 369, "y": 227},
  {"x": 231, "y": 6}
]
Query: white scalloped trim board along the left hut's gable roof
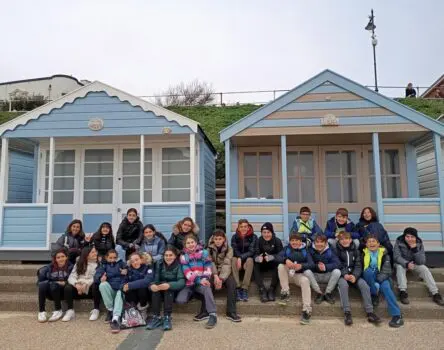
[{"x": 98, "y": 86}]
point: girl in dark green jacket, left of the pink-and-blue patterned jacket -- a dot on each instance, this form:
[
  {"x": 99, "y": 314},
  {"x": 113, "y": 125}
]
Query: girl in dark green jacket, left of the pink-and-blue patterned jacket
[{"x": 168, "y": 281}]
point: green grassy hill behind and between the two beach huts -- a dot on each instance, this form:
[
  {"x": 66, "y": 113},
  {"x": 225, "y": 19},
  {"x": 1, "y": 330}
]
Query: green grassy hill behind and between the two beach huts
[{"x": 214, "y": 119}]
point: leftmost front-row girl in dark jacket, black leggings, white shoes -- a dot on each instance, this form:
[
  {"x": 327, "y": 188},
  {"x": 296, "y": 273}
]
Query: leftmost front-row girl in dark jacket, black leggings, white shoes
[{"x": 52, "y": 280}]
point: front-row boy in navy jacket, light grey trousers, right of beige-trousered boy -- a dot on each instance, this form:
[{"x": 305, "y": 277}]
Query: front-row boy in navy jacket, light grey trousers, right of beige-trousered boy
[{"x": 326, "y": 270}]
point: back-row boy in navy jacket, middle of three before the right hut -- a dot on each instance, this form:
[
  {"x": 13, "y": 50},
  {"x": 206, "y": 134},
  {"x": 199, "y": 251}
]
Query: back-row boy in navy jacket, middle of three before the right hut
[{"x": 341, "y": 223}]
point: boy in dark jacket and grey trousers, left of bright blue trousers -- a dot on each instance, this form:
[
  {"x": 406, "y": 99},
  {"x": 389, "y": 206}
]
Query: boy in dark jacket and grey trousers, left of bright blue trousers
[{"x": 351, "y": 271}]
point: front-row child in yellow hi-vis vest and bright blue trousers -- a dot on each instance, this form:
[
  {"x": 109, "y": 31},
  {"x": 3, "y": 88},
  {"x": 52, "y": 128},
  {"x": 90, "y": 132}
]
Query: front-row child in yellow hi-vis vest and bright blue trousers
[{"x": 377, "y": 272}]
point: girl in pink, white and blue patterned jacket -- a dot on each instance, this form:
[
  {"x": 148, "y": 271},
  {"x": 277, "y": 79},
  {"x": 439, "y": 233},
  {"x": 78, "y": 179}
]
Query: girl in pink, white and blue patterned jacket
[{"x": 196, "y": 266}]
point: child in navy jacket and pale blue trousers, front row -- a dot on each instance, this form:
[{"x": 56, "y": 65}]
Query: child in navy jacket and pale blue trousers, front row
[{"x": 110, "y": 274}]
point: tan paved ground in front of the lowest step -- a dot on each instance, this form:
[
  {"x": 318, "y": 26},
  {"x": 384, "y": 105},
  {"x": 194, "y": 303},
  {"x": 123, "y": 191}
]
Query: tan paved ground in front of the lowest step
[{"x": 21, "y": 331}]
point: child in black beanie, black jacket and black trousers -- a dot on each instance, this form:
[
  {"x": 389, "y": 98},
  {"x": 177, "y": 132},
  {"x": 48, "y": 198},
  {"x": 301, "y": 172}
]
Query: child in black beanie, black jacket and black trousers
[{"x": 266, "y": 250}]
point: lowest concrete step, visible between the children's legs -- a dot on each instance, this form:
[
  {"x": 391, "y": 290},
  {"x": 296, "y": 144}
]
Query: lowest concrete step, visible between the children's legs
[{"x": 416, "y": 310}]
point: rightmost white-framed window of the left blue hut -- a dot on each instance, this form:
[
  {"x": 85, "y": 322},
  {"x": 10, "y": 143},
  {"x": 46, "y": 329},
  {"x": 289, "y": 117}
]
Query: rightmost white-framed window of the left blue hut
[{"x": 175, "y": 174}]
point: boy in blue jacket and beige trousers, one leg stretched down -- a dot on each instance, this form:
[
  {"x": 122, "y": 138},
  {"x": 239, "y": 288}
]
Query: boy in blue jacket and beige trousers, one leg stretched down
[{"x": 294, "y": 260}]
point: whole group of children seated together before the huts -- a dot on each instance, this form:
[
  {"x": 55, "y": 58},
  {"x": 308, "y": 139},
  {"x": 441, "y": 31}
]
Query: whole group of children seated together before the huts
[{"x": 140, "y": 268}]
